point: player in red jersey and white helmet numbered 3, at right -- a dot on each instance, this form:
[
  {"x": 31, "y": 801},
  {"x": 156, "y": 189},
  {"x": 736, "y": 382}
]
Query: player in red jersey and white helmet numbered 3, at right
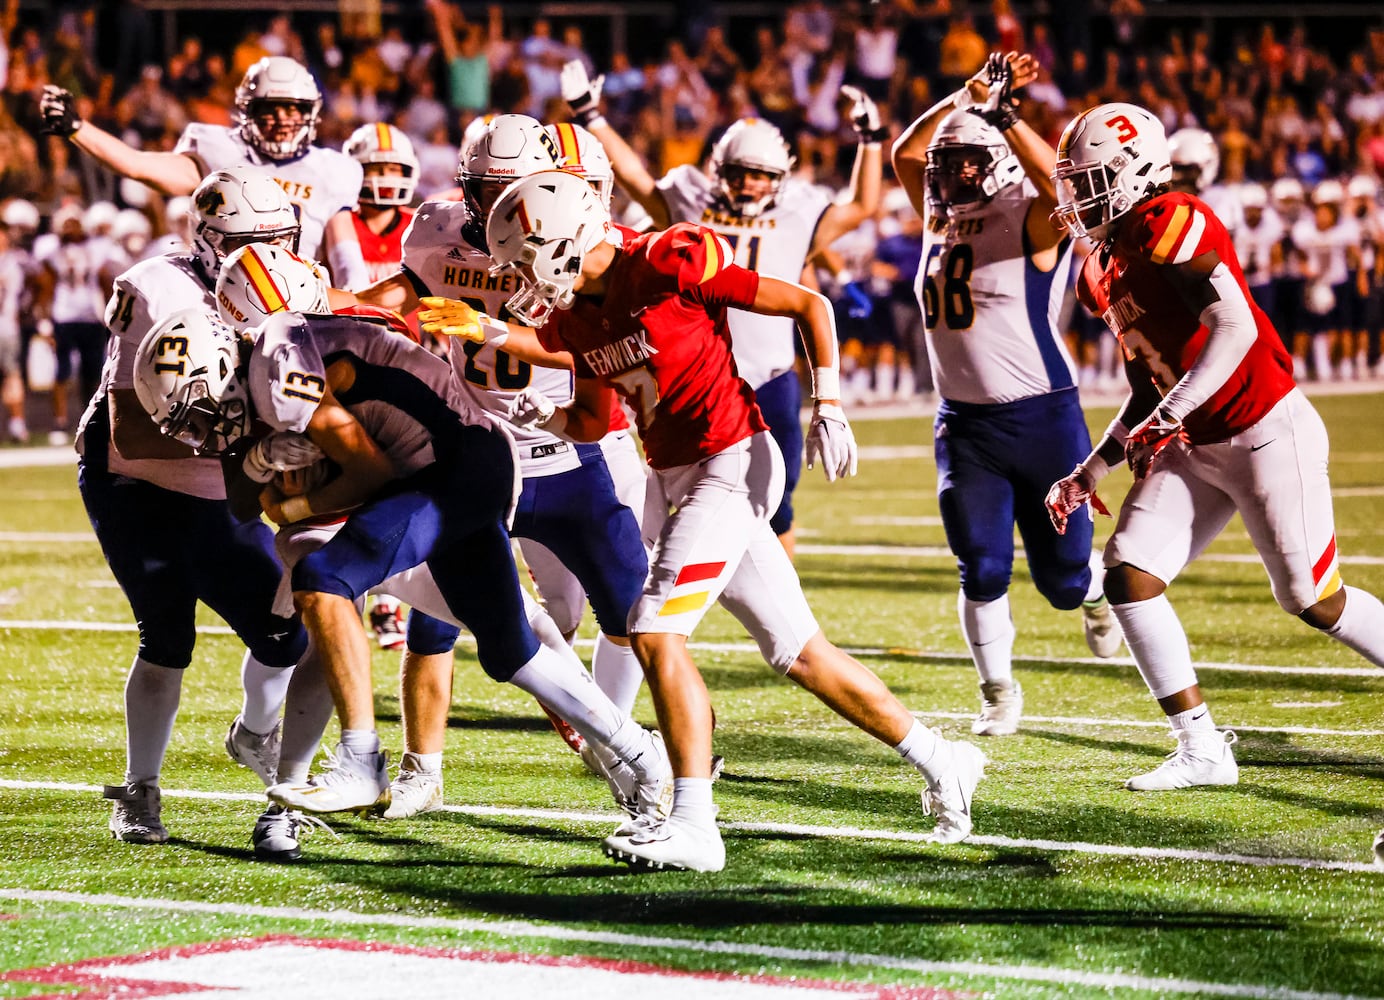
[{"x": 1213, "y": 427}]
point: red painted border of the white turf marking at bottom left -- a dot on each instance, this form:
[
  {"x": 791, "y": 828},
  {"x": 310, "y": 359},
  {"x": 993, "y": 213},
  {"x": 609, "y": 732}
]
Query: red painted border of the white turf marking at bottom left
[{"x": 100, "y": 987}]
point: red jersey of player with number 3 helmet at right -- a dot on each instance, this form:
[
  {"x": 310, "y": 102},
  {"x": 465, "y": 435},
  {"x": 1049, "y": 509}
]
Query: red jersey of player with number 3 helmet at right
[{"x": 1129, "y": 288}]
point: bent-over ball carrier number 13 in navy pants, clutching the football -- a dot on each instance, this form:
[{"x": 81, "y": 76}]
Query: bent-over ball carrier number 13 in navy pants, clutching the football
[{"x": 424, "y": 479}]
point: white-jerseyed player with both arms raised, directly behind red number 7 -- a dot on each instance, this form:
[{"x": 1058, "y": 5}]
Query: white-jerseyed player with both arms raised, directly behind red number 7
[{"x": 773, "y": 223}]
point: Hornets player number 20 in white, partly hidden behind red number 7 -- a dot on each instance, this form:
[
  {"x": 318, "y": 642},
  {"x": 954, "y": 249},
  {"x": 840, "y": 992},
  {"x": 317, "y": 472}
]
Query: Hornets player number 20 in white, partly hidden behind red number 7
[{"x": 599, "y": 537}]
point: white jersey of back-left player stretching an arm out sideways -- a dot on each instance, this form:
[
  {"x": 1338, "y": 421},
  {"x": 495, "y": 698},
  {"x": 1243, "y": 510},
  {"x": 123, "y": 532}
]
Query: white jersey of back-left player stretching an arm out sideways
[{"x": 320, "y": 183}]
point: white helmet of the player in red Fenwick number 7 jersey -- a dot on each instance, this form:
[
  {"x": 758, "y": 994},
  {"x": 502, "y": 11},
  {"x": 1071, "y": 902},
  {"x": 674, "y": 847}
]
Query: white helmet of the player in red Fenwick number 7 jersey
[{"x": 542, "y": 230}]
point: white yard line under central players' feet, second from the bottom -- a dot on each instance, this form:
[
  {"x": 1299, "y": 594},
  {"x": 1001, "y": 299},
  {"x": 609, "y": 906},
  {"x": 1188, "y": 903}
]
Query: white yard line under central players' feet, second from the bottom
[{"x": 824, "y": 832}]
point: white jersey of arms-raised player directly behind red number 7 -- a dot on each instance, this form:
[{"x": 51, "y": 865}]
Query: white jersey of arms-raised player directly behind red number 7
[{"x": 774, "y": 243}]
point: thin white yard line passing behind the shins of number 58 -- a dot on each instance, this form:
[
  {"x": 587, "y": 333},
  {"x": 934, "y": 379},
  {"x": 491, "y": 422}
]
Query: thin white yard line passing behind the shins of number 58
[{"x": 877, "y": 652}]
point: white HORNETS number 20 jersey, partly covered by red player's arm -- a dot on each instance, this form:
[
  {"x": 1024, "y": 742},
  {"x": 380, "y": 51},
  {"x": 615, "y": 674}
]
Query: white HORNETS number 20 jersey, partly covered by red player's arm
[{"x": 439, "y": 259}]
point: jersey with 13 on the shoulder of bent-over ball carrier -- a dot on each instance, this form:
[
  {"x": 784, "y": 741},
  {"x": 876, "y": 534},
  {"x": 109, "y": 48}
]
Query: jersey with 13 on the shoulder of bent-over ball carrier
[{"x": 394, "y": 393}]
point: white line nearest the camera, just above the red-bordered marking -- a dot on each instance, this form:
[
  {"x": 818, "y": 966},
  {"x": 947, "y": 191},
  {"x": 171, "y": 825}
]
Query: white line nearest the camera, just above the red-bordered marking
[{"x": 518, "y": 929}]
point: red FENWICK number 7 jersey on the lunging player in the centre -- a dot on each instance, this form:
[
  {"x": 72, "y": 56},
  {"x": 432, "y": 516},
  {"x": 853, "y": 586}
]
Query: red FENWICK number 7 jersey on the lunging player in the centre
[{"x": 659, "y": 338}]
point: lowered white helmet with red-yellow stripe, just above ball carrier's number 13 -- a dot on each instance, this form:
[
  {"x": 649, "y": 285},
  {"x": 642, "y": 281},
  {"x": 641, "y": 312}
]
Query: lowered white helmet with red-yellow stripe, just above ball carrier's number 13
[{"x": 261, "y": 280}]
